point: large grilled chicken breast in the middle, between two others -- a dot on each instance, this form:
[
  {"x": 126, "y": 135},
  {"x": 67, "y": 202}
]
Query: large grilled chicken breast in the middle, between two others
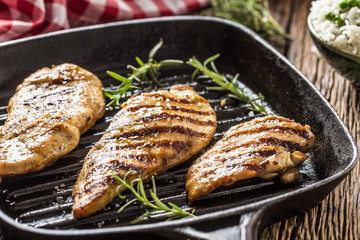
[{"x": 152, "y": 133}]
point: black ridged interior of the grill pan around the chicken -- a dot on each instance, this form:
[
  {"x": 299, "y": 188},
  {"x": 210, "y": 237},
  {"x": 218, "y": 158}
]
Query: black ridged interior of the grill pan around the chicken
[{"x": 43, "y": 199}]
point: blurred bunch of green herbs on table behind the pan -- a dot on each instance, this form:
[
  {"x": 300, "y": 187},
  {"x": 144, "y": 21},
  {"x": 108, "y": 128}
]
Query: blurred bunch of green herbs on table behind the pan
[{"x": 254, "y": 14}]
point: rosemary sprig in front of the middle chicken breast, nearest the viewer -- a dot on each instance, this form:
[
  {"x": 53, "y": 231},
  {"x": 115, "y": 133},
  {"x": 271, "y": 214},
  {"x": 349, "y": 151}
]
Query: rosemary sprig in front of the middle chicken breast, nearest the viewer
[{"x": 157, "y": 207}]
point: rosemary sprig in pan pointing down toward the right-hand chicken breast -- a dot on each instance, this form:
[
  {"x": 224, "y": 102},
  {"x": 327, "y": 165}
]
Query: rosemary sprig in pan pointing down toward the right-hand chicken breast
[{"x": 225, "y": 84}]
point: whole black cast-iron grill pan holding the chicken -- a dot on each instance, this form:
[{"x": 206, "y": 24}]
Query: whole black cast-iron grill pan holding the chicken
[{"x": 38, "y": 205}]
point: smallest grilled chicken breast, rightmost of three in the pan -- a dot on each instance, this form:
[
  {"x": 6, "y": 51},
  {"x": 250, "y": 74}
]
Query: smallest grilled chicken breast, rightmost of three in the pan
[{"x": 263, "y": 147}]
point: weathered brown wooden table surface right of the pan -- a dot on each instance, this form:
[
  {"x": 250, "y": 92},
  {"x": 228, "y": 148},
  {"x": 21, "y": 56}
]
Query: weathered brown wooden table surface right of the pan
[{"x": 337, "y": 216}]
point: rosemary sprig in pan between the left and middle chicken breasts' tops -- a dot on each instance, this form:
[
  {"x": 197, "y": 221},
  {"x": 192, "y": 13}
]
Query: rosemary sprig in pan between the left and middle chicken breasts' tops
[{"x": 144, "y": 72}]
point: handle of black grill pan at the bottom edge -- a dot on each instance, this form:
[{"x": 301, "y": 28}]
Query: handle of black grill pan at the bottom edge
[{"x": 247, "y": 227}]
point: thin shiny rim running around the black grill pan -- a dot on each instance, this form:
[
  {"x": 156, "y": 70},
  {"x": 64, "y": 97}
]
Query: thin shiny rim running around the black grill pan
[{"x": 223, "y": 213}]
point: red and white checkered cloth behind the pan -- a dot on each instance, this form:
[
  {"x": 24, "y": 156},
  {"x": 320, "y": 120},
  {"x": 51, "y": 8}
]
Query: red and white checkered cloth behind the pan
[{"x": 22, "y": 18}]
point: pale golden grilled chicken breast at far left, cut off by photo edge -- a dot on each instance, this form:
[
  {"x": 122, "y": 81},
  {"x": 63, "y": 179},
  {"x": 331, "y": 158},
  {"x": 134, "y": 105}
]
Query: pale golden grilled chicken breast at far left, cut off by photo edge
[{"x": 46, "y": 116}]
